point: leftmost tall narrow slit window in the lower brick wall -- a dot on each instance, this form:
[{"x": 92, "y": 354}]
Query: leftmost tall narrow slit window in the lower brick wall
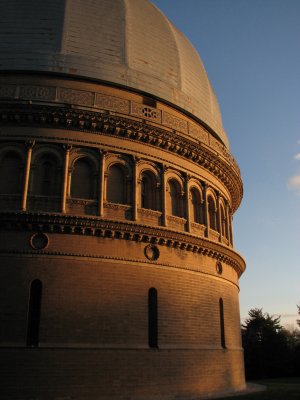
[{"x": 34, "y": 313}]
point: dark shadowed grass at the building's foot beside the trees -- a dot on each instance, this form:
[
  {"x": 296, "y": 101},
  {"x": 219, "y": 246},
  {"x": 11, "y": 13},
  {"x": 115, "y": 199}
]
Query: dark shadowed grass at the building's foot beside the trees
[{"x": 277, "y": 389}]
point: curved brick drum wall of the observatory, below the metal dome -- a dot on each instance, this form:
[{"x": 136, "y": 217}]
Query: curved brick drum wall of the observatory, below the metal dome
[{"x": 97, "y": 259}]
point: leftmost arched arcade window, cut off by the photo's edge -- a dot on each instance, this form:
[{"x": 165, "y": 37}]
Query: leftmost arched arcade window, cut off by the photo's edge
[{"x": 11, "y": 174}]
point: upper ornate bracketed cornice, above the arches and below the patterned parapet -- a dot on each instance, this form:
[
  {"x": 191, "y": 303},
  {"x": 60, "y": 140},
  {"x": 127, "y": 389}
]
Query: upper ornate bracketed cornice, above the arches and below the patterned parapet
[{"x": 224, "y": 168}]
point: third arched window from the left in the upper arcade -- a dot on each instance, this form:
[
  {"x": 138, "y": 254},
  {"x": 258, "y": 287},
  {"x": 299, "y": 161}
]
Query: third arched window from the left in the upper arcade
[{"x": 83, "y": 182}]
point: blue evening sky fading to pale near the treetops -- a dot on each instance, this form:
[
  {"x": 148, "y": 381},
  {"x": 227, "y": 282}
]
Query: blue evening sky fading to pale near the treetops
[{"x": 251, "y": 52}]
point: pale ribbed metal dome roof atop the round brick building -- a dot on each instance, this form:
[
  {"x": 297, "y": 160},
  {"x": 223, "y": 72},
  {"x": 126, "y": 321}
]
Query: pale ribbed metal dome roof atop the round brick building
[{"x": 127, "y": 42}]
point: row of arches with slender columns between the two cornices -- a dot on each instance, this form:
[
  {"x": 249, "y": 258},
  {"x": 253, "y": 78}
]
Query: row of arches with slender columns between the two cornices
[{"x": 89, "y": 182}]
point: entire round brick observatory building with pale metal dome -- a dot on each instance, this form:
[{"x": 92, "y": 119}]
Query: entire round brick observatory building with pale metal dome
[{"x": 118, "y": 277}]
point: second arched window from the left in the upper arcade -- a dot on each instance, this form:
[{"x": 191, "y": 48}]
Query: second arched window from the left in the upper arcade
[{"x": 46, "y": 177}]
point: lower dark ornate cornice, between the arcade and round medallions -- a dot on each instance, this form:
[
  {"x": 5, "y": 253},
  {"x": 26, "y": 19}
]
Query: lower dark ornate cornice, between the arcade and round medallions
[{"x": 91, "y": 226}]
